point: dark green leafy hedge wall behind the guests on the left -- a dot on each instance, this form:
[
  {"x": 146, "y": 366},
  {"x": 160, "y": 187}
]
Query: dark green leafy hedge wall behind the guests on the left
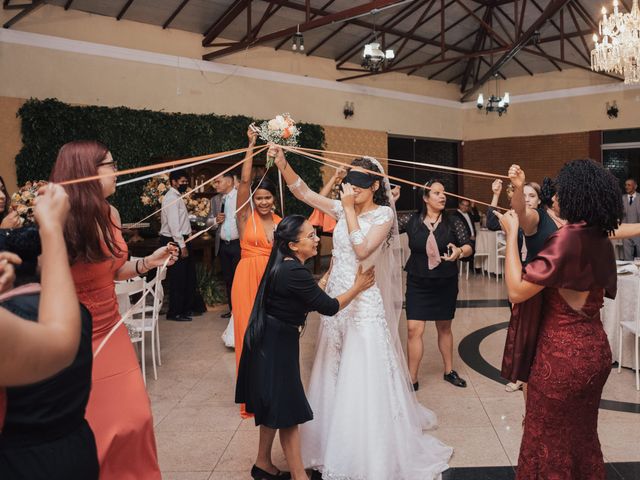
[{"x": 143, "y": 137}]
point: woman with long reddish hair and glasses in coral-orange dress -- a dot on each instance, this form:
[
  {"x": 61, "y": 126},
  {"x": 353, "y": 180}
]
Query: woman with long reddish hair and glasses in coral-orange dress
[{"x": 119, "y": 409}]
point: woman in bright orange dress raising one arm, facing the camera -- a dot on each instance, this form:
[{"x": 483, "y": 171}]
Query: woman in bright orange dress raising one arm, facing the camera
[{"x": 256, "y": 224}]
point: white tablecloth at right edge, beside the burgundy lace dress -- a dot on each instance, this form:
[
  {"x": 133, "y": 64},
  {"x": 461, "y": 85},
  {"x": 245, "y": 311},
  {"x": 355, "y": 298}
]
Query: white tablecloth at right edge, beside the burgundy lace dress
[{"x": 624, "y": 307}]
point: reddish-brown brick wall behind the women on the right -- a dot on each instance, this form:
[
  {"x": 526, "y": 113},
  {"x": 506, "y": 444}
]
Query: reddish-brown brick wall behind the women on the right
[{"x": 539, "y": 156}]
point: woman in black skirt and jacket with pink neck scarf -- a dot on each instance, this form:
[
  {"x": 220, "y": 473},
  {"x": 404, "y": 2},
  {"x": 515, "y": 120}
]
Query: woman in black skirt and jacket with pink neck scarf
[{"x": 437, "y": 241}]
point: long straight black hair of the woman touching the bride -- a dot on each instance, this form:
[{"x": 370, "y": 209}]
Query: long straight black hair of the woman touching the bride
[{"x": 287, "y": 231}]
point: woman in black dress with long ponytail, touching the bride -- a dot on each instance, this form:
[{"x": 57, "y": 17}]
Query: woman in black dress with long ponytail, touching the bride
[{"x": 269, "y": 375}]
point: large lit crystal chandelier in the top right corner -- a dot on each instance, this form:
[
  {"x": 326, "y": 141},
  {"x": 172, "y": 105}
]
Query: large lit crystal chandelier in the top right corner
[{"x": 619, "y": 50}]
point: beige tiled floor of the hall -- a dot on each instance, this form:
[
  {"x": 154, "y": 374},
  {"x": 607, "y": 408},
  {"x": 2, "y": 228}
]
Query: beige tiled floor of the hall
[{"x": 201, "y": 436}]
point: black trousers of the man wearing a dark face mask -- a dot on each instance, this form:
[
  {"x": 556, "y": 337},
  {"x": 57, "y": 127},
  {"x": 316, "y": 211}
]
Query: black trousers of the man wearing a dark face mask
[{"x": 182, "y": 283}]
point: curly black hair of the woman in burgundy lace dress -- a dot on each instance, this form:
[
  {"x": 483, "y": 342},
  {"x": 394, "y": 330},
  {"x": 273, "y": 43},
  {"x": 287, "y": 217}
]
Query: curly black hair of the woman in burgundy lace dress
[{"x": 587, "y": 192}]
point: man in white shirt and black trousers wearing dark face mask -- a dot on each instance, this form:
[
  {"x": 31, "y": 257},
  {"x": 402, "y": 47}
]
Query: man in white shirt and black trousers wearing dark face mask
[{"x": 175, "y": 227}]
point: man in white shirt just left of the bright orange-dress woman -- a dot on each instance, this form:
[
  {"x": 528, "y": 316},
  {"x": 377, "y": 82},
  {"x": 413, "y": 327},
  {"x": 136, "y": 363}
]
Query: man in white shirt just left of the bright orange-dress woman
[{"x": 227, "y": 232}]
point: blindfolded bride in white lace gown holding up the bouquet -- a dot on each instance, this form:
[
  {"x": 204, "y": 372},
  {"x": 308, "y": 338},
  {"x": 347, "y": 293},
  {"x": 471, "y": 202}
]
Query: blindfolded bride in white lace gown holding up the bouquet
[{"x": 367, "y": 423}]
